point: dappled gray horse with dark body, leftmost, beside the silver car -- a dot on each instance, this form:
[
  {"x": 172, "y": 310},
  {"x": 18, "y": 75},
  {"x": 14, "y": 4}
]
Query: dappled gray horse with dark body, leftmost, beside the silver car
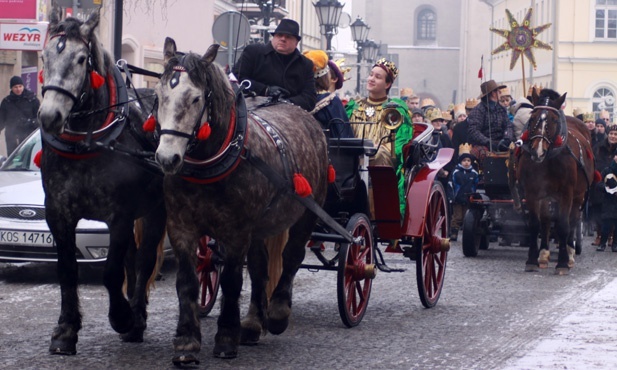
[{"x": 84, "y": 113}]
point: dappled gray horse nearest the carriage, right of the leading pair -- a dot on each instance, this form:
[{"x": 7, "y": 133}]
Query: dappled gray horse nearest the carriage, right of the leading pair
[{"x": 230, "y": 174}]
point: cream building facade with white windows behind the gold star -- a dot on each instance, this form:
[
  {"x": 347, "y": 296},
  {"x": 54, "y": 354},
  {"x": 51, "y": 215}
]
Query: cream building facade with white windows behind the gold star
[{"x": 583, "y": 62}]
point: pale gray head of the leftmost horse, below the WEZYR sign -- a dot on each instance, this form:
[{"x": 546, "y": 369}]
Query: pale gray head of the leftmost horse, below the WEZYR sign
[{"x": 73, "y": 68}]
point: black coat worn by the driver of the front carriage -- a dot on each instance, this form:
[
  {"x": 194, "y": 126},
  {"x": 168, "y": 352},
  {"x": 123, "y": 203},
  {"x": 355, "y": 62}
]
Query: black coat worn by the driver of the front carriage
[{"x": 263, "y": 66}]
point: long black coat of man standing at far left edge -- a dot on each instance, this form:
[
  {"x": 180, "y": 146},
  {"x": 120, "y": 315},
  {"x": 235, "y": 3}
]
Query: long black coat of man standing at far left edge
[{"x": 18, "y": 116}]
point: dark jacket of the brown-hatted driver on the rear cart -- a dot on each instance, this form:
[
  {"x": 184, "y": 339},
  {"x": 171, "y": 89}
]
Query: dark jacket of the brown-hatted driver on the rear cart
[{"x": 488, "y": 121}]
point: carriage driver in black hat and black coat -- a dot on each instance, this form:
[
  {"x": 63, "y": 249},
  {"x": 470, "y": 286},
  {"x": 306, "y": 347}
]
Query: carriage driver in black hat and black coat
[{"x": 278, "y": 69}]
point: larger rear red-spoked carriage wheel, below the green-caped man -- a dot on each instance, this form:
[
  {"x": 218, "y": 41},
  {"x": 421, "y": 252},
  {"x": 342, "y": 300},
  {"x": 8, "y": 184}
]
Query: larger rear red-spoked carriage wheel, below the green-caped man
[{"x": 432, "y": 248}]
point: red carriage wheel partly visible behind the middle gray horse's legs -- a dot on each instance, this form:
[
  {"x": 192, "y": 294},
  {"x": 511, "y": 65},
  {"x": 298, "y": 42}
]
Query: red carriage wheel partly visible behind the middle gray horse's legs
[{"x": 208, "y": 272}]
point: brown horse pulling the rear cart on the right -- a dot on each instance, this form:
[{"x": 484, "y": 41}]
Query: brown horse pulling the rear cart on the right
[{"x": 555, "y": 167}]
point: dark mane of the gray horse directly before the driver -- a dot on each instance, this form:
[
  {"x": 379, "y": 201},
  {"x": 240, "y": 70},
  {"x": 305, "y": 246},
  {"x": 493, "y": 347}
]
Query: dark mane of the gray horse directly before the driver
[{"x": 209, "y": 76}]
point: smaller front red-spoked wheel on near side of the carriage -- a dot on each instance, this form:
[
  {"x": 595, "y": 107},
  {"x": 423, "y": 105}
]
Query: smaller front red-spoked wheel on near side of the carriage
[{"x": 356, "y": 270}]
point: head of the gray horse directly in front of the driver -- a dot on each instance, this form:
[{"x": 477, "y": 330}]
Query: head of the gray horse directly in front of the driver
[{"x": 194, "y": 105}]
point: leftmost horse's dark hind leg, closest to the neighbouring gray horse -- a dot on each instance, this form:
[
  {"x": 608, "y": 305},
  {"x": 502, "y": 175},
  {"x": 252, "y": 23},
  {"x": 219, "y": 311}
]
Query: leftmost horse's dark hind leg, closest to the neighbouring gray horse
[{"x": 153, "y": 226}]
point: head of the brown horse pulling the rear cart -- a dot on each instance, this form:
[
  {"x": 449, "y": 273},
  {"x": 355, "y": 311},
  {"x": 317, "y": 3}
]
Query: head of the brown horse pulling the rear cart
[{"x": 544, "y": 128}]
